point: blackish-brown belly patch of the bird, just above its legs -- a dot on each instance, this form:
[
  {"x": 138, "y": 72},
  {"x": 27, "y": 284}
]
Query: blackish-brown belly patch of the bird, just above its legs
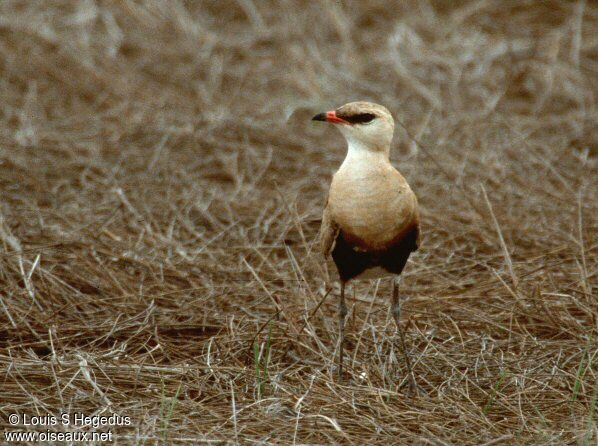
[{"x": 351, "y": 261}]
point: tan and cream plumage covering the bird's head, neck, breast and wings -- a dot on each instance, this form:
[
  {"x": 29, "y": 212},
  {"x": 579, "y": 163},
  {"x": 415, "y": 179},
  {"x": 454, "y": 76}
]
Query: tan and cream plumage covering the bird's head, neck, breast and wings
[{"x": 370, "y": 203}]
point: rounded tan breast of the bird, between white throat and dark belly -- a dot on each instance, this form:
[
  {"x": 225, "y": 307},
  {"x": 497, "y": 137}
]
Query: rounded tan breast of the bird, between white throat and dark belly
[{"x": 372, "y": 206}]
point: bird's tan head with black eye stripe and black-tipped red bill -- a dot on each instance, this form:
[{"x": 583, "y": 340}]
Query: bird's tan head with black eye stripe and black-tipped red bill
[{"x": 364, "y": 123}]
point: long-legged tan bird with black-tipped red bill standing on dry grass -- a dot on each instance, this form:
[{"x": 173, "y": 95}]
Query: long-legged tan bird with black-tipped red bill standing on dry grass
[{"x": 371, "y": 220}]
